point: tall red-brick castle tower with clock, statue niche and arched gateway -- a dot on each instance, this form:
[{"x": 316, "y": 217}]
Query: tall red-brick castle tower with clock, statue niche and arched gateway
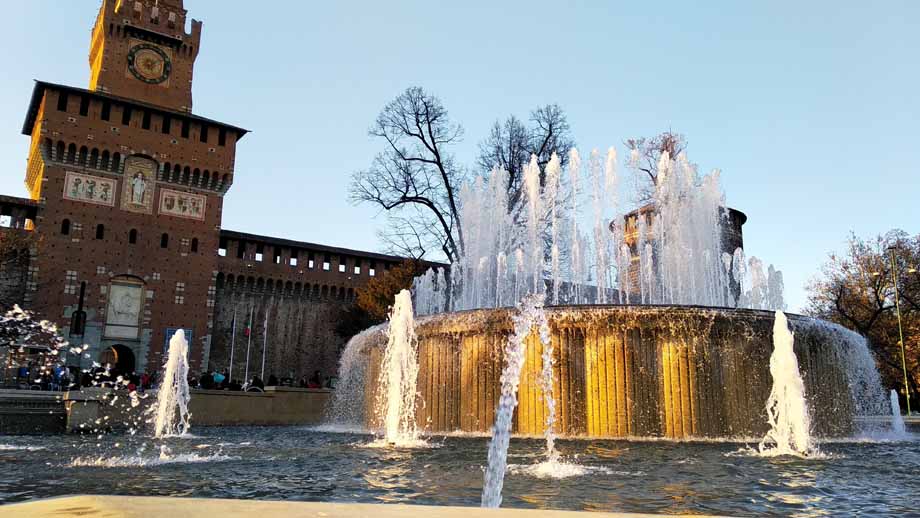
[{"x": 129, "y": 185}]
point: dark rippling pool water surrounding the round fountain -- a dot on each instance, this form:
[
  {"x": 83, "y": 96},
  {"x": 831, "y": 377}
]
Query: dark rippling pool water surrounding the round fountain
[{"x": 873, "y": 477}]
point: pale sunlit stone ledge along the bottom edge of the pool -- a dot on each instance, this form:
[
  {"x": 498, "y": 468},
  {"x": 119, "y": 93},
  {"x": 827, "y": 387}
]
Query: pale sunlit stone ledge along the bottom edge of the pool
[{"x": 143, "y": 507}]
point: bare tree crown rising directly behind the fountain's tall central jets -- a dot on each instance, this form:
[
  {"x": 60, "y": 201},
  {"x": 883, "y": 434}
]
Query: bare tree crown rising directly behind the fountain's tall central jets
[{"x": 511, "y": 143}]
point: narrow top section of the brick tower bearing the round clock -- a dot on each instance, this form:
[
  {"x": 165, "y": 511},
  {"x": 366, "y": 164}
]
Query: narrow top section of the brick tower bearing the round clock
[{"x": 140, "y": 50}]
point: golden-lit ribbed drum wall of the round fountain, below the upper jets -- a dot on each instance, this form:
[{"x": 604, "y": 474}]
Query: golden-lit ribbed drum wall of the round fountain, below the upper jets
[{"x": 624, "y": 371}]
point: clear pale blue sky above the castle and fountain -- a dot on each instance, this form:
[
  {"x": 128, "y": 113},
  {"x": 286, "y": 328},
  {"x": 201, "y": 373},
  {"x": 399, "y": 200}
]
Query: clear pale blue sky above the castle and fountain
[{"x": 810, "y": 109}]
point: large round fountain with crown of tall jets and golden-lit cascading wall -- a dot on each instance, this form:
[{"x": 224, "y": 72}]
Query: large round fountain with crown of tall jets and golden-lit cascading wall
[{"x": 657, "y": 325}]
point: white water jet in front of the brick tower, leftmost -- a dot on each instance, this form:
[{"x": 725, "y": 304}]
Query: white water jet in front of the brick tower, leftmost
[{"x": 173, "y": 396}]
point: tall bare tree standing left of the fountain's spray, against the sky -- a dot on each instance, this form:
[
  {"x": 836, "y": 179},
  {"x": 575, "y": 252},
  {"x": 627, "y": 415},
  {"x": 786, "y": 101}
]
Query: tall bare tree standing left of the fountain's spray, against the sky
[{"x": 415, "y": 178}]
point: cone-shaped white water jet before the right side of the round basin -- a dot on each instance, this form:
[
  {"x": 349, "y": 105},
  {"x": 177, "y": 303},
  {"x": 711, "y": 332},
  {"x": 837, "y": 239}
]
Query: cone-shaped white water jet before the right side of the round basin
[{"x": 787, "y": 408}]
